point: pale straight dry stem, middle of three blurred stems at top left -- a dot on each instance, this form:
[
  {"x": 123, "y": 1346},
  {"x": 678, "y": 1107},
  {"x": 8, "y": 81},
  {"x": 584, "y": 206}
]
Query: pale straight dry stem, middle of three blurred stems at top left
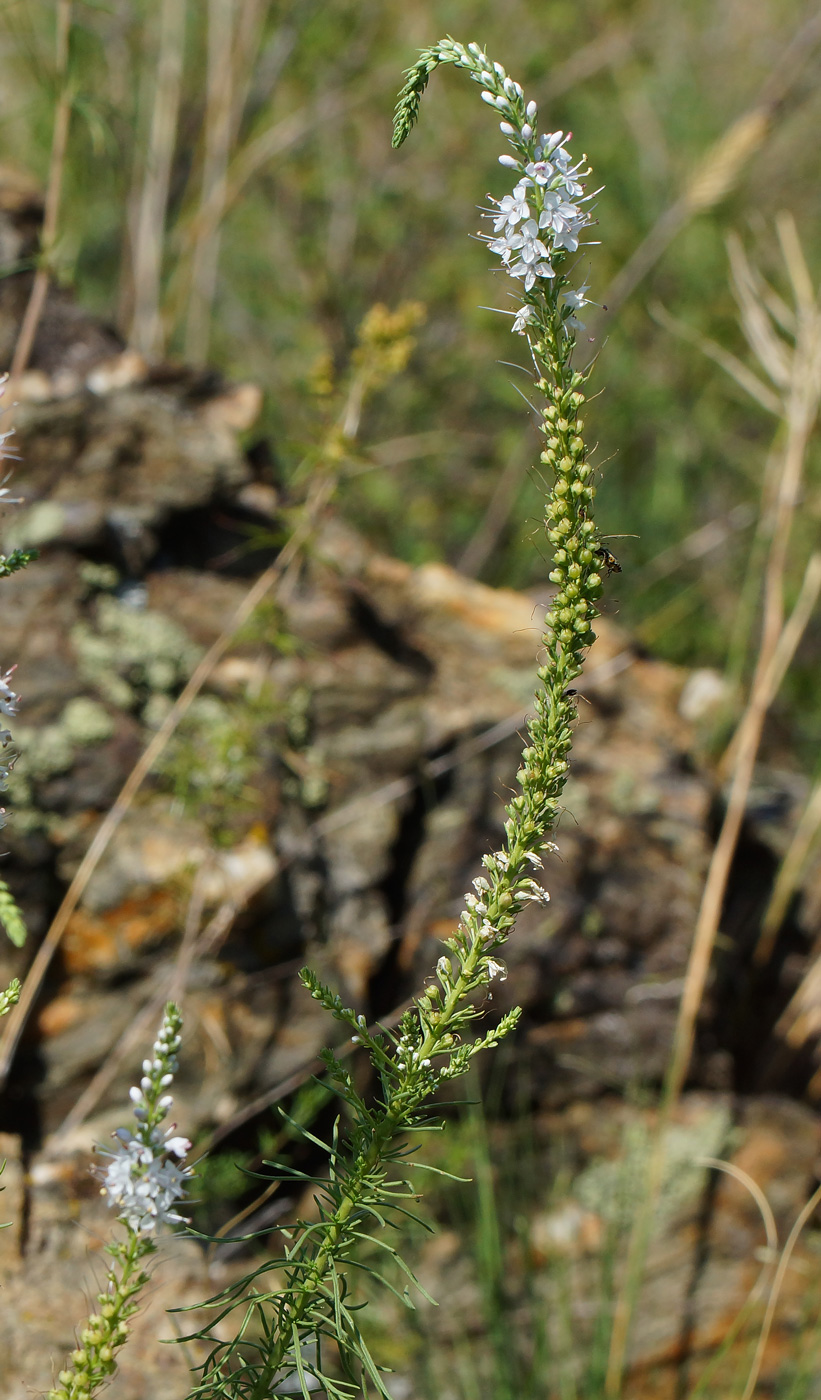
[{"x": 149, "y": 233}]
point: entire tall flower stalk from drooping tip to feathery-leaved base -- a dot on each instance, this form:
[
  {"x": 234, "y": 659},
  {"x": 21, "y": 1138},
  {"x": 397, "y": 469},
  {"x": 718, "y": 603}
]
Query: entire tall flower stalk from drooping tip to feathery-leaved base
[{"x": 536, "y": 230}]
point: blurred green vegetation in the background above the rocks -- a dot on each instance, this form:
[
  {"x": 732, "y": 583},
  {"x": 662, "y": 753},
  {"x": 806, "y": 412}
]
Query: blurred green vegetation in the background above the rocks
[{"x": 337, "y": 222}]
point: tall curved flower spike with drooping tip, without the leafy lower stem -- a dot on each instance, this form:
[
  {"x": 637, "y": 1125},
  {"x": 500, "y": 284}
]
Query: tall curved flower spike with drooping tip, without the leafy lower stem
[{"x": 536, "y": 229}]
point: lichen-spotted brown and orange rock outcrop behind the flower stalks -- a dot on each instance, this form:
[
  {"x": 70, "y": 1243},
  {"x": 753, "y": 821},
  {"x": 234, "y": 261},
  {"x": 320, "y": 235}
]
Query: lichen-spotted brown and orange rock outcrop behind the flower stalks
[{"x": 327, "y": 800}]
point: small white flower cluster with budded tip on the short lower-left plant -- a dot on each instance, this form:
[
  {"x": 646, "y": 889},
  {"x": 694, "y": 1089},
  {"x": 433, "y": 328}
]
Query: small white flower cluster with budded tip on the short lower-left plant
[{"x": 142, "y": 1182}]
